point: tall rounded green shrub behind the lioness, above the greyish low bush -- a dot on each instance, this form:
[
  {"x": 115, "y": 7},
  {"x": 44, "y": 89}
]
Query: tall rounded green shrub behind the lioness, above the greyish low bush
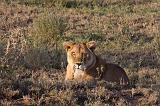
[{"x": 48, "y": 29}]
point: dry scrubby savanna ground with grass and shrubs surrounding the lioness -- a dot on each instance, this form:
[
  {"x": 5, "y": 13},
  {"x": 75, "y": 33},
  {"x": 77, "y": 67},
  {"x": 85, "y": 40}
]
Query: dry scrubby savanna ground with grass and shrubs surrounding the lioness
[{"x": 32, "y": 60}]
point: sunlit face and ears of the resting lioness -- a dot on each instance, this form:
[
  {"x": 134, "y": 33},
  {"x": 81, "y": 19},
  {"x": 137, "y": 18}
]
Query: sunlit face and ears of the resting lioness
[{"x": 81, "y": 55}]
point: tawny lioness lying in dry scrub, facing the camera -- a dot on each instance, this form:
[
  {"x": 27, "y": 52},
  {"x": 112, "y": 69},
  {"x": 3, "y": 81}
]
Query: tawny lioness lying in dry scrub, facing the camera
[{"x": 84, "y": 65}]
